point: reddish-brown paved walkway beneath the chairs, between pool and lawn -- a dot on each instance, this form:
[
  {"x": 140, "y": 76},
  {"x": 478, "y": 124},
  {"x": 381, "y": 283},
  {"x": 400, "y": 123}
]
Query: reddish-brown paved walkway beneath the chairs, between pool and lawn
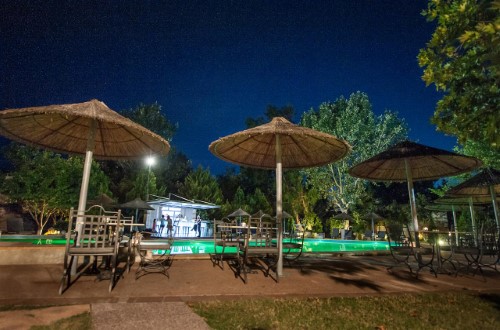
[{"x": 155, "y": 300}]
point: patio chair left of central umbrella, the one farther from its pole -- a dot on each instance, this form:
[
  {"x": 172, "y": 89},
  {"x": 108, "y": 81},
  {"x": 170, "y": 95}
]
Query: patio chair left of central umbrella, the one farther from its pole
[{"x": 226, "y": 242}]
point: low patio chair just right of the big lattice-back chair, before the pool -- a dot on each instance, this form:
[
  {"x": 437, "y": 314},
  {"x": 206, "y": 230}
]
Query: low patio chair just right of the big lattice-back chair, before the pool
[{"x": 154, "y": 254}]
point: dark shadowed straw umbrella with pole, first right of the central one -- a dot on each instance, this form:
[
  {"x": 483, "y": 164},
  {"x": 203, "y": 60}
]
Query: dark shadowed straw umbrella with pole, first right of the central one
[{"x": 409, "y": 161}]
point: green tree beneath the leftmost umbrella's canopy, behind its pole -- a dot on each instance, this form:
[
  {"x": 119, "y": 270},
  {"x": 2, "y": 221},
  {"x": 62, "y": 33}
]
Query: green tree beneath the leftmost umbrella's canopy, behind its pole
[{"x": 46, "y": 184}]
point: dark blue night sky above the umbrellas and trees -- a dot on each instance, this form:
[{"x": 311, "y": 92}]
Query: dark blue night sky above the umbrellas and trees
[{"x": 212, "y": 64}]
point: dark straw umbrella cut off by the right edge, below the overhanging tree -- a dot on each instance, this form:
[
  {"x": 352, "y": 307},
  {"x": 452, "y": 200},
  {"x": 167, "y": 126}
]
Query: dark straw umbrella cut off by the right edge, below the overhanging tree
[{"x": 486, "y": 184}]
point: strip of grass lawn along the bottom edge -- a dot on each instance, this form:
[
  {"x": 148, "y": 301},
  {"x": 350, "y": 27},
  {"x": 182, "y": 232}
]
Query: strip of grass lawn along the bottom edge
[{"x": 454, "y": 310}]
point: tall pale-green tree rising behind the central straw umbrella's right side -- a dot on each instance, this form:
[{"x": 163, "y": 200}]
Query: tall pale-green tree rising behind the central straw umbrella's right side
[{"x": 354, "y": 121}]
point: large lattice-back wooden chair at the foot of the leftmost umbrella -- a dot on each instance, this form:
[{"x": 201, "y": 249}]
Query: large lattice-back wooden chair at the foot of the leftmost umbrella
[{"x": 99, "y": 236}]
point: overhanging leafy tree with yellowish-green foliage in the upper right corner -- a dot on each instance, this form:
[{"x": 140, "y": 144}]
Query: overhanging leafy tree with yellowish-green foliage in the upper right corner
[{"x": 462, "y": 59}]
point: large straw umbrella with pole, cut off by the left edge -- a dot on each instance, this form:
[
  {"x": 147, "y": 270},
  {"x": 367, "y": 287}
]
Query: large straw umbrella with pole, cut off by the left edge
[{"x": 89, "y": 128}]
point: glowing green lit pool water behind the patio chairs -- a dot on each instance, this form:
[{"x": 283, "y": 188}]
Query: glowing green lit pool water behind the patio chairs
[{"x": 202, "y": 246}]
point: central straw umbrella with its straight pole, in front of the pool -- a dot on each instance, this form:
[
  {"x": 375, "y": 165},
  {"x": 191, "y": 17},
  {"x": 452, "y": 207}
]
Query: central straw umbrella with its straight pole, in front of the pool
[{"x": 276, "y": 145}]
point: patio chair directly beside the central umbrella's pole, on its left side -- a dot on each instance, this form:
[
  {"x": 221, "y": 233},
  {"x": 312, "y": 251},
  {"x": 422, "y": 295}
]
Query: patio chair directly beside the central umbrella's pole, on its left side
[{"x": 258, "y": 252}]
